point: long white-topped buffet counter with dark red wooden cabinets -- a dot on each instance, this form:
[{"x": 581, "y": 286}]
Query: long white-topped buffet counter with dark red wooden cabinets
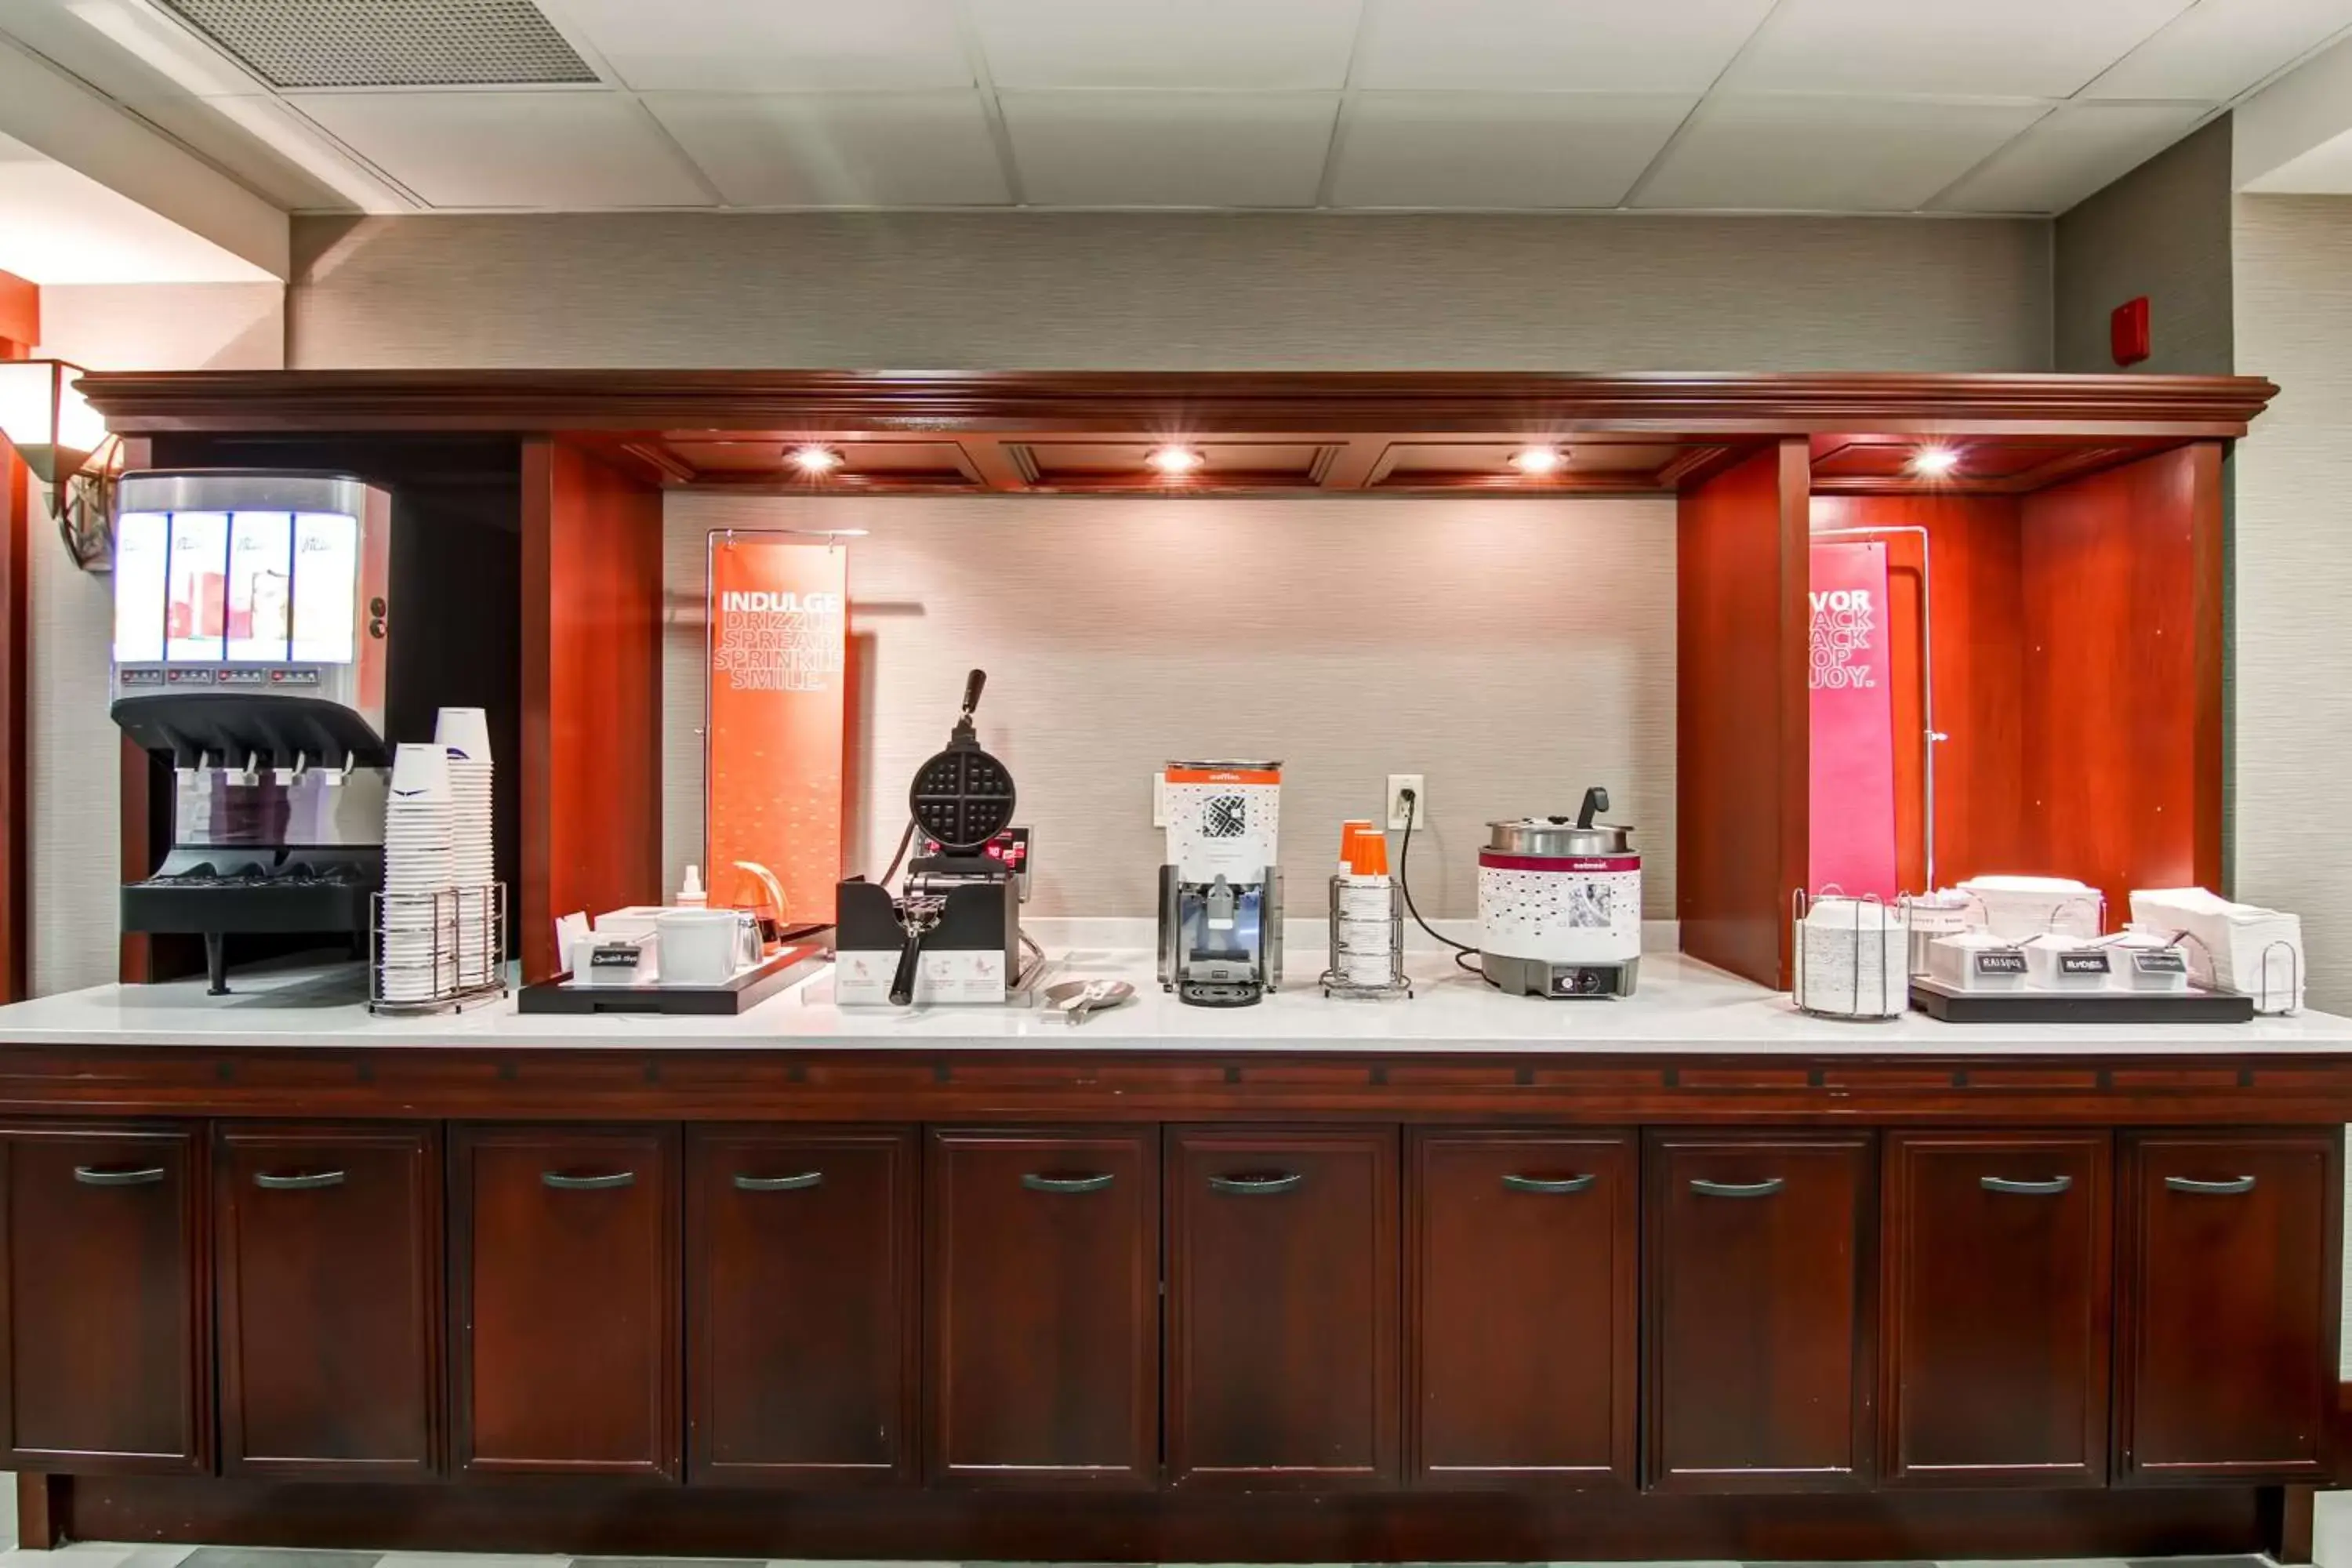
[{"x": 1459, "y": 1278}]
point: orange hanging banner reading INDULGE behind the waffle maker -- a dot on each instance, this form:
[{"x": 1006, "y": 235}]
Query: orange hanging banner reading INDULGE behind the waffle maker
[{"x": 773, "y": 744}]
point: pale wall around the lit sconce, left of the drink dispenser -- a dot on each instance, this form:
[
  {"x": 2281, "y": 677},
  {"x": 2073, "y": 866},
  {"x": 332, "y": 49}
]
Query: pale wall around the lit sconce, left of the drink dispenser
[{"x": 76, "y": 779}]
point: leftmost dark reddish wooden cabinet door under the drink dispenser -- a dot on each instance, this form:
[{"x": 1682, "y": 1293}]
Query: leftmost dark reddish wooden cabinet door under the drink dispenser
[{"x": 109, "y": 1339}]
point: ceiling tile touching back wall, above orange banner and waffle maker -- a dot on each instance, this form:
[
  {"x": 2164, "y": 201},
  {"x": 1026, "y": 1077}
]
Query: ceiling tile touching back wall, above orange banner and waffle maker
[{"x": 838, "y": 149}]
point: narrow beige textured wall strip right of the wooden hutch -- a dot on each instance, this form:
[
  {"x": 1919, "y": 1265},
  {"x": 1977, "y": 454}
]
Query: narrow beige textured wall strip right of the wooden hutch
[{"x": 2294, "y": 575}]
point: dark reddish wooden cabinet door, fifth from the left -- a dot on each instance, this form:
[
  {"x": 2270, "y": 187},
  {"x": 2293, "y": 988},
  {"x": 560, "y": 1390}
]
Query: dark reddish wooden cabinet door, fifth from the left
[{"x": 1045, "y": 1308}]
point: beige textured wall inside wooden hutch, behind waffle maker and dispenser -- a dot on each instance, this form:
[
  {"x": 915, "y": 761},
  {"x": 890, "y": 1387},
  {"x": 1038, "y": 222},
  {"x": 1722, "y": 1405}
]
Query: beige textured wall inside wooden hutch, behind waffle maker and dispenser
[{"x": 1509, "y": 650}]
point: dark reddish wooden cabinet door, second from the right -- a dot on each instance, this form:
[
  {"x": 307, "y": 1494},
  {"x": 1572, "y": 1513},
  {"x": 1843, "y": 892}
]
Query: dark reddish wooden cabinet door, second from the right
[{"x": 1996, "y": 1301}]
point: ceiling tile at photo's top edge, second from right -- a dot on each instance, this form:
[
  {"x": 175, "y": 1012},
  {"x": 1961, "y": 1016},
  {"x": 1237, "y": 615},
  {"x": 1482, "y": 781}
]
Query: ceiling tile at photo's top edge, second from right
[{"x": 1984, "y": 48}]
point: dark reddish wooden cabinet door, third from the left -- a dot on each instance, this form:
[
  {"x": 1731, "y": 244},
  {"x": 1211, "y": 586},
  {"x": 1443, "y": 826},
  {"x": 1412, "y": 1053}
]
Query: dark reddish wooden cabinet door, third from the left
[{"x": 566, "y": 1292}]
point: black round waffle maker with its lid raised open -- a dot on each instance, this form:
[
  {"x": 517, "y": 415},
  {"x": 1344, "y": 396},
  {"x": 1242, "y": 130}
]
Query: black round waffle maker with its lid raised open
[{"x": 954, "y": 934}]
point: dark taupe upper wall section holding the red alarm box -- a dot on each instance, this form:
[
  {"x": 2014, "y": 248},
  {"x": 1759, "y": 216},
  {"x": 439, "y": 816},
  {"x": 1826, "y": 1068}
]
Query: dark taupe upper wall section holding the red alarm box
[{"x": 2160, "y": 232}]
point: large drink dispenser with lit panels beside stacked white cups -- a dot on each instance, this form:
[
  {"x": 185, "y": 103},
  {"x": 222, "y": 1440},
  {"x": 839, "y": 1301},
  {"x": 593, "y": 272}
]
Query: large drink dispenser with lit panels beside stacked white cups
[{"x": 253, "y": 652}]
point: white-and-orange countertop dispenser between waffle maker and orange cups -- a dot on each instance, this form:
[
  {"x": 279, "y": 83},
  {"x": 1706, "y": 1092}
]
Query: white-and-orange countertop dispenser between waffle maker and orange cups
[{"x": 1222, "y": 885}]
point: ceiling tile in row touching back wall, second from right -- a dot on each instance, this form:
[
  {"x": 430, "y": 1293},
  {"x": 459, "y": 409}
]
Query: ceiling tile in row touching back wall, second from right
[{"x": 1826, "y": 154}]
